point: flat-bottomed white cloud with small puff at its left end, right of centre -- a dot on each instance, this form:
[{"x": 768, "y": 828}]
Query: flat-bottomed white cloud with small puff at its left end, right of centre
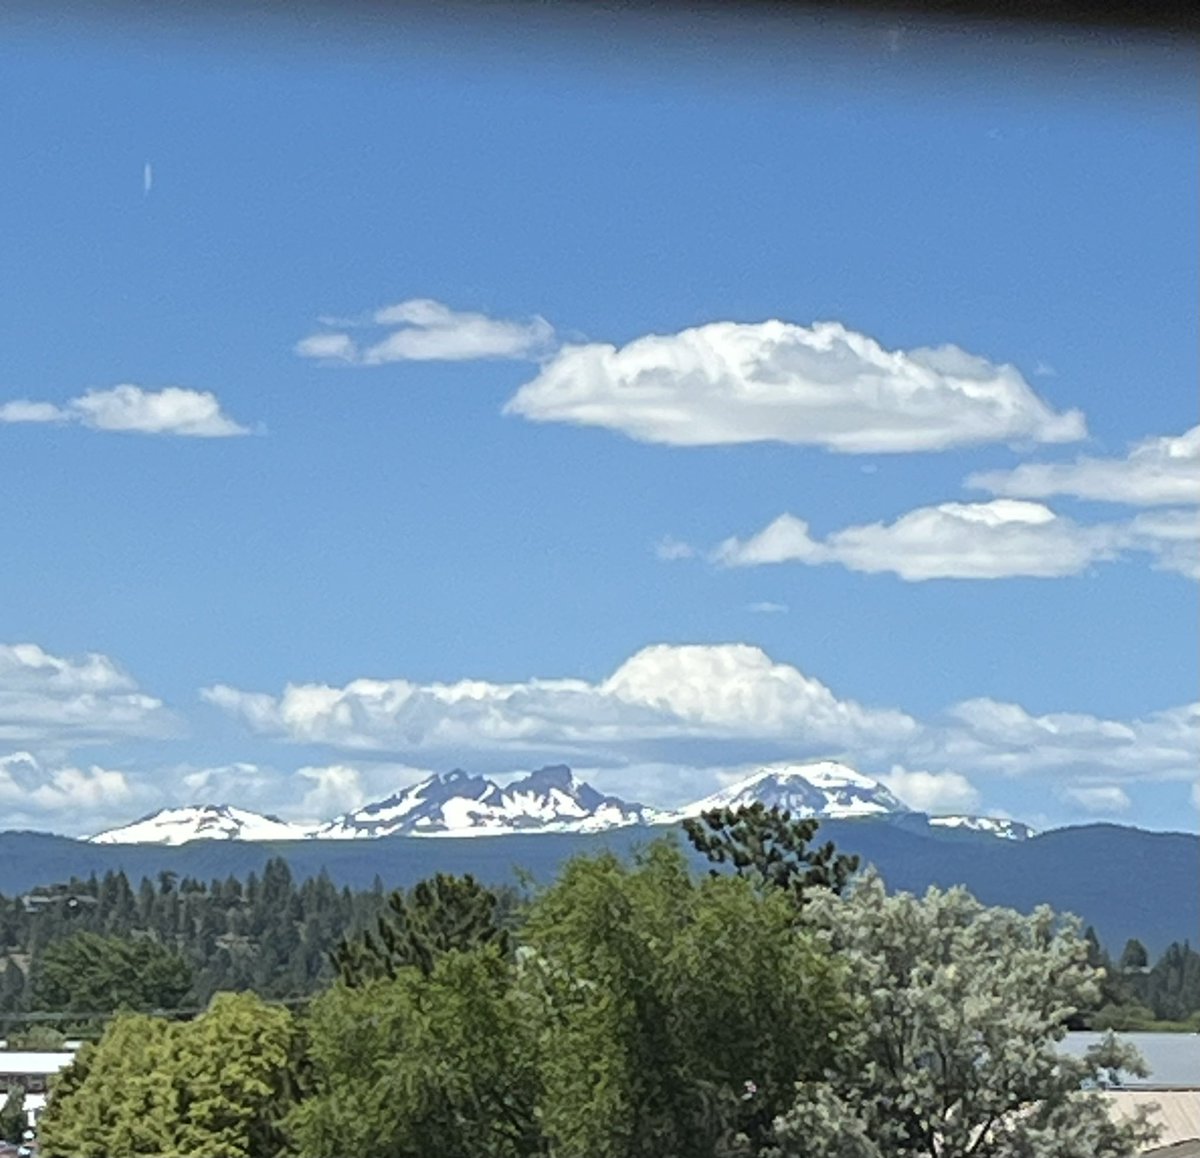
[{"x": 1000, "y": 539}]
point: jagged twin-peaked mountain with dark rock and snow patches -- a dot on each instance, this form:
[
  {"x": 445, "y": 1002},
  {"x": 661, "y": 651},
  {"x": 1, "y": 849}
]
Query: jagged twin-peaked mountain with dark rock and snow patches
[{"x": 553, "y": 800}]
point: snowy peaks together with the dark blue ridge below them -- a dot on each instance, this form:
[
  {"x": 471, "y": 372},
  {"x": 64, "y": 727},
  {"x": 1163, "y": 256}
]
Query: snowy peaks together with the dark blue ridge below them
[{"x": 1124, "y": 881}]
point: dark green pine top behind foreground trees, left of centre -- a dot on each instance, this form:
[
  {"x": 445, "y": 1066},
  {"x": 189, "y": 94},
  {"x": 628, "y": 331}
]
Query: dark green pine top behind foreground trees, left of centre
[{"x": 441, "y": 915}]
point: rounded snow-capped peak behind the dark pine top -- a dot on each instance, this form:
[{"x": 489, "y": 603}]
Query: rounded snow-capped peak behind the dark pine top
[{"x": 824, "y": 789}]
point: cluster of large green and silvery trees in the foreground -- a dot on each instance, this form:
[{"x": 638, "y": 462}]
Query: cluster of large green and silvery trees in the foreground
[{"x": 783, "y": 1006}]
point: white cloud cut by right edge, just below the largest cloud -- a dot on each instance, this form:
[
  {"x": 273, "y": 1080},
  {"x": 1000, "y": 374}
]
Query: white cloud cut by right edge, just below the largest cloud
[{"x": 1157, "y": 472}]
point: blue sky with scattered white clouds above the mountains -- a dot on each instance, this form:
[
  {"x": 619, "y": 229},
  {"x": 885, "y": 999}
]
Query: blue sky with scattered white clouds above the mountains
[{"x": 184, "y": 208}]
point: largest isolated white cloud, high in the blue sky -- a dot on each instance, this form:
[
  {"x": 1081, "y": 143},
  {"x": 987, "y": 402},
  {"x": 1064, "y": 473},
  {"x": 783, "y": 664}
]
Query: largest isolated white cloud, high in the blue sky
[{"x": 776, "y": 382}]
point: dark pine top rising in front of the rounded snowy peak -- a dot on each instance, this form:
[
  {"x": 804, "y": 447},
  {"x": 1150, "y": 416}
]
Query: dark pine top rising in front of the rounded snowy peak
[{"x": 772, "y": 847}]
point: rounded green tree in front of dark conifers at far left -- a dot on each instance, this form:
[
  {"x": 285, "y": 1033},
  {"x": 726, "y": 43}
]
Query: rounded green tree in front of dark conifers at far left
[{"x": 95, "y": 974}]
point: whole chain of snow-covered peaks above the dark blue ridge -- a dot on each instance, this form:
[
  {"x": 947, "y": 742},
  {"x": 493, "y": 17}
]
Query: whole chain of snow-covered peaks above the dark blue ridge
[{"x": 551, "y": 800}]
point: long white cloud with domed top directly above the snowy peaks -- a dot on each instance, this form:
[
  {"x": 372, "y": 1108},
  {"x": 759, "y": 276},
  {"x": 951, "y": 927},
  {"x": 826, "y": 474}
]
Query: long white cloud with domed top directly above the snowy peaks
[{"x": 663, "y": 693}]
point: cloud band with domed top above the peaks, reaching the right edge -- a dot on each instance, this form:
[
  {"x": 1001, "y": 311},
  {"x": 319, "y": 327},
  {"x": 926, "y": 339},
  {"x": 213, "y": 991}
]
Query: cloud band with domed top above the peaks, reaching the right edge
[{"x": 695, "y": 706}]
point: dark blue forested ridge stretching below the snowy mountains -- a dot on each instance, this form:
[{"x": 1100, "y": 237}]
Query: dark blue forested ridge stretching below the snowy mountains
[{"x": 1125, "y": 883}]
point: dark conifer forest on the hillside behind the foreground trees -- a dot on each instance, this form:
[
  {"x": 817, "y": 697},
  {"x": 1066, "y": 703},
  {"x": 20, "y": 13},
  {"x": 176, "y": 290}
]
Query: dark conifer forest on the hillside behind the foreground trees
[{"x": 88, "y": 946}]
